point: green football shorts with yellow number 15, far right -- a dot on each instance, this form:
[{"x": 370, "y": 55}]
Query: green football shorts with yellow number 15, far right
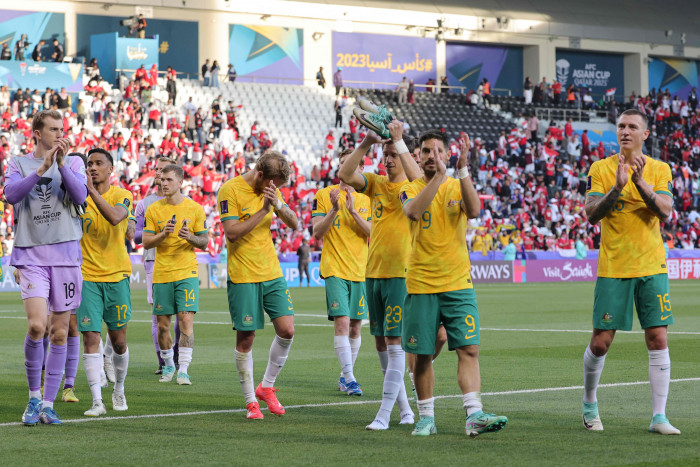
[{"x": 613, "y": 299}]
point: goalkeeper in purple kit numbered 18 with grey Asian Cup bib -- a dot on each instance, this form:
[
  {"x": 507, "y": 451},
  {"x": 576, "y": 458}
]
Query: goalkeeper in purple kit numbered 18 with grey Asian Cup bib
[{"x": 44, "y": 186}]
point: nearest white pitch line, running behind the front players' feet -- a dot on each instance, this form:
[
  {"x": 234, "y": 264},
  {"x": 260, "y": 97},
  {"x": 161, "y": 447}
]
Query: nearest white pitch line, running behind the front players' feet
[{"x": 339, "y": 404}]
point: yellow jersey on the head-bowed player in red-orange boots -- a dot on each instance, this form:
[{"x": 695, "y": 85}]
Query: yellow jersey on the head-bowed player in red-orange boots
[{"x": 252, "y": 258}]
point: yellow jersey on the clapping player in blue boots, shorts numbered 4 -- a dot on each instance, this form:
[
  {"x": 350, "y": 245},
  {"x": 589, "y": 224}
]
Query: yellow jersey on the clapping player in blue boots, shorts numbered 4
[{"x": 345, "y": 244}]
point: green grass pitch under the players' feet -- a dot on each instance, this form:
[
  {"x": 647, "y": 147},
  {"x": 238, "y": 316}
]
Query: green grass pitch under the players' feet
[{"x": 533, "y": 337}]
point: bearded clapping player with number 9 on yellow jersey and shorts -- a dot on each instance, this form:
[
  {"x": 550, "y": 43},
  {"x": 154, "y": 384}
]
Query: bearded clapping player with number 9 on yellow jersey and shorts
[{"x": 439, "y": 284}]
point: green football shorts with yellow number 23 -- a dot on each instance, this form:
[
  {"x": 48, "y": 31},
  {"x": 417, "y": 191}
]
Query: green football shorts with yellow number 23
[{"x": 385, "y": 298}]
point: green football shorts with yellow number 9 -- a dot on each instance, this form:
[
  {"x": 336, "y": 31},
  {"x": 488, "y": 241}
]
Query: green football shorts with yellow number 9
[{"x": 456, "y": 310}]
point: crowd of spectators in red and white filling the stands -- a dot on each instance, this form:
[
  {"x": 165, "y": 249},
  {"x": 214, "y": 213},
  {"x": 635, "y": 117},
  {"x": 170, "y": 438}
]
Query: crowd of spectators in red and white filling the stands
[{"x": 532, "y": 186}]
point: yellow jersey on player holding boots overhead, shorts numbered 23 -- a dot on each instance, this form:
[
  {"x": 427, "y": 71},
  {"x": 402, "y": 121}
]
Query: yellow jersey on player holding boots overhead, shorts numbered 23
[{"x": 390, "y": 236}]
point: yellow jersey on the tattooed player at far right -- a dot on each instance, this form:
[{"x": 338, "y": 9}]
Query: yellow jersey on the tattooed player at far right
[{"x": 631, "y": 244}]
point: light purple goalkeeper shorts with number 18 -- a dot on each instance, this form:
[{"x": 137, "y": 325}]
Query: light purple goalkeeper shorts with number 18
[{"x": 60, "y": 286}]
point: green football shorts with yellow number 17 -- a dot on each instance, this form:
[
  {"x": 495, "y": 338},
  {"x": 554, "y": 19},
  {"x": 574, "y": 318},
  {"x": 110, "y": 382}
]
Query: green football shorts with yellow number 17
[{"x": 104, "y": 301}]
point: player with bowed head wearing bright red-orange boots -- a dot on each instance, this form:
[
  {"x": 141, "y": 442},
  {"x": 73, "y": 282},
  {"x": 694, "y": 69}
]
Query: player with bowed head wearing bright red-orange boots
[{"x": 255, "y": 282}]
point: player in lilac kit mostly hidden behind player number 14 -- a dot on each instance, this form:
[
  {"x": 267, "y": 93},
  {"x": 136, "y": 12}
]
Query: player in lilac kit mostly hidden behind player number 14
[{"x": 149, "y": 257}]
